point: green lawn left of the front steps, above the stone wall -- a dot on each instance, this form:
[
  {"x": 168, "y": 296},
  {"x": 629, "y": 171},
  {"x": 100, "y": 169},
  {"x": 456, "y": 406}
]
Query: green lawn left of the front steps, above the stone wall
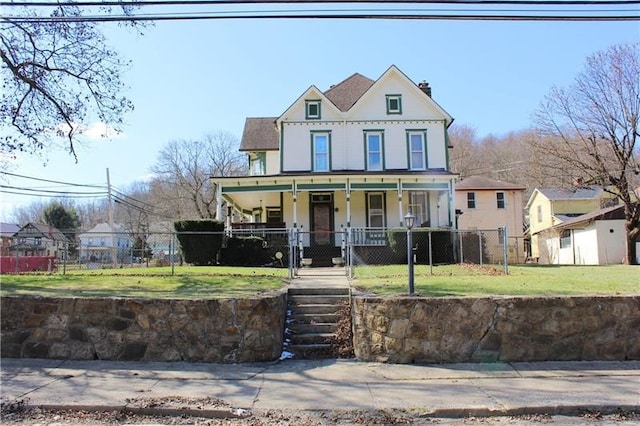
[{"x": 186, "y": 283}]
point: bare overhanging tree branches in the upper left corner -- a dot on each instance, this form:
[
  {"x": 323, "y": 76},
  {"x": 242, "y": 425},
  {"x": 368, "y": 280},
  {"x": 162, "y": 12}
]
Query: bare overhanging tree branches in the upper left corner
[{"x": 57, "y": 74}]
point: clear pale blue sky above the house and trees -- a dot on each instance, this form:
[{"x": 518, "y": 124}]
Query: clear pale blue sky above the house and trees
[{"x": 191, "y": 78}]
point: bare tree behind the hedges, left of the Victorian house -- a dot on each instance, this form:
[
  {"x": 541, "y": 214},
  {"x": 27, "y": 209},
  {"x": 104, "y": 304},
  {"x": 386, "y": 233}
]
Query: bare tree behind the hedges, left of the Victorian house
[{"x": 184, "y": 169}]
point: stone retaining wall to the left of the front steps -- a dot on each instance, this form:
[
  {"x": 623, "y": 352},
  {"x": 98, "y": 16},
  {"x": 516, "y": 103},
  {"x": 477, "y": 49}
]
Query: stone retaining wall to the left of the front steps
[{"x": 217, "y": 330}]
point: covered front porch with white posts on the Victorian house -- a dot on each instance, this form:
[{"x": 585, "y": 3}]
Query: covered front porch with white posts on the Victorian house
[{"x": 322, "y": 206}]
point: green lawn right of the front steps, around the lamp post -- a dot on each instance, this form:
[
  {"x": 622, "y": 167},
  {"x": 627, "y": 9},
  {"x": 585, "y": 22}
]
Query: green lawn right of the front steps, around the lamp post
[{"x": 468, "y": 280}]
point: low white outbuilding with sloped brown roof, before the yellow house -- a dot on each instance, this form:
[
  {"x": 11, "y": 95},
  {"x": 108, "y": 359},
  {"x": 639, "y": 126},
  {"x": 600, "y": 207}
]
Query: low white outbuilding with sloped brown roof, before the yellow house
[{"x": 596, "y": 238}]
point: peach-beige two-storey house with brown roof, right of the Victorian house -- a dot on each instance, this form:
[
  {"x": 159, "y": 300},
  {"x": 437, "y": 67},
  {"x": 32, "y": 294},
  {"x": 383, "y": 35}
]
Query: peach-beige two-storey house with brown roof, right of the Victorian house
[{"x": 488, "y": 204}]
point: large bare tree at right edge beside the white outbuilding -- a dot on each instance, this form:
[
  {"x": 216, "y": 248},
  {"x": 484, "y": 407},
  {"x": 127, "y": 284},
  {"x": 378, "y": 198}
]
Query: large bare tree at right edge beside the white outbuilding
[{"x": 594, "y": 126}]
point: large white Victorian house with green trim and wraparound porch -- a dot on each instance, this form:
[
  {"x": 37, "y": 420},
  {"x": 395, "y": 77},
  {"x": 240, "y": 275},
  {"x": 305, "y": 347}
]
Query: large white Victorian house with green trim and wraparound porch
[{"x": 359, "y": 155}]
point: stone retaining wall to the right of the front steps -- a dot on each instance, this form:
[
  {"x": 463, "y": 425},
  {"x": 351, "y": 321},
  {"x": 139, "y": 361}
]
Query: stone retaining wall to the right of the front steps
[{"x": 427, "y": 330}]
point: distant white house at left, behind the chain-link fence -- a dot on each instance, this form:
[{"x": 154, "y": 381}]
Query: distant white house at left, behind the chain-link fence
[{"x": 100, "y": 244}]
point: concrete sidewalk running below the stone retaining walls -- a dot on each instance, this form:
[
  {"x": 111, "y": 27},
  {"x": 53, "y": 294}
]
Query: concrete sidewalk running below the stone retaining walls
[{"x": 453, "y": 390}]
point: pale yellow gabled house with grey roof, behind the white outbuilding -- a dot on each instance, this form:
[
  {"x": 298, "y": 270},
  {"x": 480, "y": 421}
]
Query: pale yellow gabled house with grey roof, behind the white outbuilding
[{"x": 550, "y": 207}]
